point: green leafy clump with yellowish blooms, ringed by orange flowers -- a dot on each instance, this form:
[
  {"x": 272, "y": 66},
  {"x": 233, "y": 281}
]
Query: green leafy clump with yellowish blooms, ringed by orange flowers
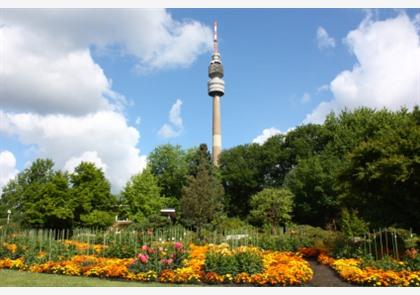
[{"x": 249, "y": 262}]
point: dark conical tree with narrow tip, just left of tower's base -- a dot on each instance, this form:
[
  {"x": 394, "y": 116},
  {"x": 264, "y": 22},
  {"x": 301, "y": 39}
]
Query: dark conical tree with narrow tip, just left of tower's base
[{"x": 202, "y": 196}]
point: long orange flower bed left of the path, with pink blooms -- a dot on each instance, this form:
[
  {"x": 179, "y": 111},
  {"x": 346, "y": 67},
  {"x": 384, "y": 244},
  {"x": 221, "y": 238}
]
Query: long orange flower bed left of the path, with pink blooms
[{"x": 172, "y": 265}]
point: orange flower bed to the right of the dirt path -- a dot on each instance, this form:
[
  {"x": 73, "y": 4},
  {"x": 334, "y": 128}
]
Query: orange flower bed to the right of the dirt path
[{"x": 351, "y": 271}]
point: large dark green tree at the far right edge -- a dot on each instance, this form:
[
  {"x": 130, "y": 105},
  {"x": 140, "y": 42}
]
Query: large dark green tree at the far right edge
[{"x": 382, "y": 178}]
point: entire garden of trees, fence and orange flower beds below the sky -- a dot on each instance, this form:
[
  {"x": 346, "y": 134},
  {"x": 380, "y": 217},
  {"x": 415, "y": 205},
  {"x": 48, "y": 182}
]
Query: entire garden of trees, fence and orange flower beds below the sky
[{"x": 343, "y": 194}]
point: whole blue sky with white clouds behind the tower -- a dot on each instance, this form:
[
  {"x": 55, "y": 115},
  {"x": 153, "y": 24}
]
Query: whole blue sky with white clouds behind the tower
[{"x": 109, "y": 86}]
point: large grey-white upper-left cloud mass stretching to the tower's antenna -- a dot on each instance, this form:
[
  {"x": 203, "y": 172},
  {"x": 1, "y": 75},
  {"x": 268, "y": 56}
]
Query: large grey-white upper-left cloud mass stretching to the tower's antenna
[{"x": 46, "y": 54}]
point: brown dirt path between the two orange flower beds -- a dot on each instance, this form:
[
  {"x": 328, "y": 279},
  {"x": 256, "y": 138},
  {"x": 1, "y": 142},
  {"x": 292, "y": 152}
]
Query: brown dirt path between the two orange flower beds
[{"x": 324, "y": 276}]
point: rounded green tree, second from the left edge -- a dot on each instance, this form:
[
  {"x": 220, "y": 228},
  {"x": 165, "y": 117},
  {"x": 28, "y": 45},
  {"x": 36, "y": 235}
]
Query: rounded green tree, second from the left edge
[{"x": 91, "y": 194}]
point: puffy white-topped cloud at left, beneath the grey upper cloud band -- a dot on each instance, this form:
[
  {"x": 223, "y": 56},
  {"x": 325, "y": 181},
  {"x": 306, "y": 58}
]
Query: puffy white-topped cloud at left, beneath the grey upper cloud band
[{"x": 34, "y": 80}]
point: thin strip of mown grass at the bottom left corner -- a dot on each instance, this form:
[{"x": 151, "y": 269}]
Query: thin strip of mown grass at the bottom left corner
[{"x": 13, "y": 278}]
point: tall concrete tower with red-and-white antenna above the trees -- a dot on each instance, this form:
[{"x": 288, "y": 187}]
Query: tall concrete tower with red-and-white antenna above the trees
[{"x": 216, "y": 89}]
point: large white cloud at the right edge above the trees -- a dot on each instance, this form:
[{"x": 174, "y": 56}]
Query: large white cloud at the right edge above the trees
[{"x": 387, "y": 73}]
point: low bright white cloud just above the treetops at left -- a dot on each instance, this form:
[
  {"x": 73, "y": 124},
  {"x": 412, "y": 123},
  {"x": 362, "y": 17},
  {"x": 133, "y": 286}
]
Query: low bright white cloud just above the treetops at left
[{"x": 103, "y": 137}]
